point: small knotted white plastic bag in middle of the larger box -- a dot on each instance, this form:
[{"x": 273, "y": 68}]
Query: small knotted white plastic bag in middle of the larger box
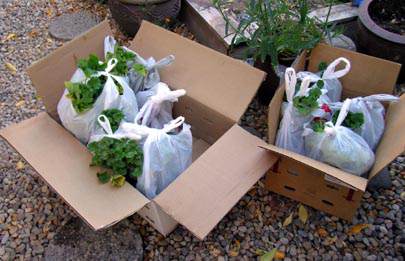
[{"x": 157, "y": 111}]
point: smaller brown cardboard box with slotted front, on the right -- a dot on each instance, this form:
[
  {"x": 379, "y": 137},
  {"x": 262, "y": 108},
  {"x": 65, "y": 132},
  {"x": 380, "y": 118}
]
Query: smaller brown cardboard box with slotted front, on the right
[{"x": 318, "y": 184}]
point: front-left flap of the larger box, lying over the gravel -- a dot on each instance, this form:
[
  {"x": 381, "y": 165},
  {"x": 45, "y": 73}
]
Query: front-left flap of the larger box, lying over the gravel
[{"x": 63, "y": 162}]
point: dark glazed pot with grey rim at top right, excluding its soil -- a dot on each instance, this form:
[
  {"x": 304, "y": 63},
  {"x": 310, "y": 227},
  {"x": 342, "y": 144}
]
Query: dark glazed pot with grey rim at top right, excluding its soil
[{"x": 376, "y": 41}]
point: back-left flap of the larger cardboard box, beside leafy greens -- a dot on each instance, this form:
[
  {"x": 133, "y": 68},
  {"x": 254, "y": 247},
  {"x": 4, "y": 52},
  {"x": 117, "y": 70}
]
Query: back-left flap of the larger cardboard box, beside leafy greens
[{"x": 49, "y": 74}]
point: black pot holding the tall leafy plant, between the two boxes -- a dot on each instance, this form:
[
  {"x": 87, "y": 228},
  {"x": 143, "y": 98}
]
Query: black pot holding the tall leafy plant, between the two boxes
[{"x": 270, "y": 84}]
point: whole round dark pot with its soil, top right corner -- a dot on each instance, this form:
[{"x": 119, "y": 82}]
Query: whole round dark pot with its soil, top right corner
[{"x": 382, "y": 30}]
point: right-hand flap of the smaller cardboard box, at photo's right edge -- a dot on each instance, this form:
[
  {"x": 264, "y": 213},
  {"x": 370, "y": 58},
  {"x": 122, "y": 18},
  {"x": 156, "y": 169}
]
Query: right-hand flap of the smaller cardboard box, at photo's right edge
[{"x": 392, "y": 143}]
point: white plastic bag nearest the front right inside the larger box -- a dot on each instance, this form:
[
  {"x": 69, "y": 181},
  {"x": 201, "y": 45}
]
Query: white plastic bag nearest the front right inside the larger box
[{"x": 167, "y": 154}]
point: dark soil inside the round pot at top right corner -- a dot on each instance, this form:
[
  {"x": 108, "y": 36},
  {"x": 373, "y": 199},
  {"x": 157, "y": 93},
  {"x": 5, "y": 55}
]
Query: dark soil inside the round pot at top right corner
[{"x": 389, "y": 14}]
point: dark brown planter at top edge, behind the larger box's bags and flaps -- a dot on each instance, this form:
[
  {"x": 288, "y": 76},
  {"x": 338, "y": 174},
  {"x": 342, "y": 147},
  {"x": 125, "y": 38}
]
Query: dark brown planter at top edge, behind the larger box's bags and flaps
[{"x": 130, "y": 16}]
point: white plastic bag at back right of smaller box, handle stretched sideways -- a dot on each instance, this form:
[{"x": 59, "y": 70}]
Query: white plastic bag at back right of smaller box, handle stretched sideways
[{"x": 374, "y": 116}]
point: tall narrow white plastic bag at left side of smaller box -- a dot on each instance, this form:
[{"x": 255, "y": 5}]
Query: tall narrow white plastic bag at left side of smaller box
[{"x": 289, "y": 135}]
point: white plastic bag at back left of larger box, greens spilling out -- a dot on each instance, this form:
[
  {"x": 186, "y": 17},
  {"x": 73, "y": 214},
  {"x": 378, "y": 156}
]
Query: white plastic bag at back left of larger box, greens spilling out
[{"x": 83, "y": 124}]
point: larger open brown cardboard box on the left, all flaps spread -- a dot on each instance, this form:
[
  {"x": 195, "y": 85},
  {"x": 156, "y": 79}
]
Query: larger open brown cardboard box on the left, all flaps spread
[{"x": 227, "y": 159}]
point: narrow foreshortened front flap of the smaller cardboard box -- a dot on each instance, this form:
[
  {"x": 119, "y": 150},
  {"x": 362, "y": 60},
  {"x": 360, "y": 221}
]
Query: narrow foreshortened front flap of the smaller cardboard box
[{"x": 351, "y": 180}]
